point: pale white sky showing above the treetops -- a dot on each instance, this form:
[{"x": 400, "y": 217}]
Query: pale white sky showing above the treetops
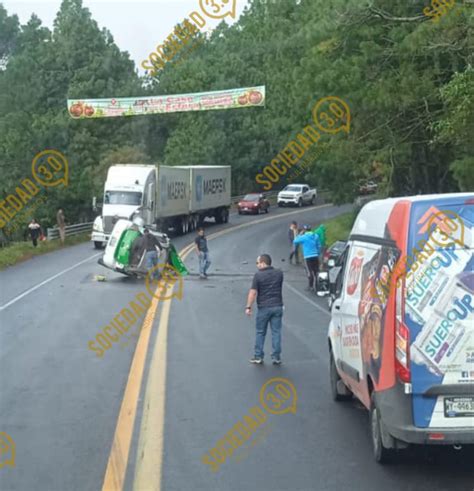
[{"x": 137, "y": 26}]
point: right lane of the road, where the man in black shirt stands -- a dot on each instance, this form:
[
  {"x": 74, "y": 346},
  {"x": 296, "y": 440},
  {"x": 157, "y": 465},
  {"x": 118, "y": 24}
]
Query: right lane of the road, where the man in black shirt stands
[{"x": 210, "y": 386}]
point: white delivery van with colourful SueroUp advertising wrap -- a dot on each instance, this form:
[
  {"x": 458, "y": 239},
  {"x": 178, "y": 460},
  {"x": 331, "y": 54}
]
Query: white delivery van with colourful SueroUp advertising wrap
[{"x": 401, "y": 335}]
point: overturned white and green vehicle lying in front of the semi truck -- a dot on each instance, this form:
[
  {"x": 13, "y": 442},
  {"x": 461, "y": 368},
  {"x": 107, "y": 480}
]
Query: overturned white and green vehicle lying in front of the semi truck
[{"x": 120, "y": 255}]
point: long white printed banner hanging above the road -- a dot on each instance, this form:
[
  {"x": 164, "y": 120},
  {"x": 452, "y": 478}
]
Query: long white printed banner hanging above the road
[{"x": 137, "y": 106}]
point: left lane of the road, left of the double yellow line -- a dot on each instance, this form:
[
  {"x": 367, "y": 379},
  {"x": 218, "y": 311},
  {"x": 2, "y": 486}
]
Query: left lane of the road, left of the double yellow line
[{"x": 58, "y": 401}]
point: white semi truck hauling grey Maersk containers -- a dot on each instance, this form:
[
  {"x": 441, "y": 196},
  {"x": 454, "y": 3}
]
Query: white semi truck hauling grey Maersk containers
[{"x": 176, "y": 198}]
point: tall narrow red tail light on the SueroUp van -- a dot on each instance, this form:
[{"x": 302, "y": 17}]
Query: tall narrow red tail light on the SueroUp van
[{"x": 402, "y": 336}]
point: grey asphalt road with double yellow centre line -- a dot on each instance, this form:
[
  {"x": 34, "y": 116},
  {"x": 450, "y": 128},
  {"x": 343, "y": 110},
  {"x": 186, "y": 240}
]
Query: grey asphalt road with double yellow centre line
[{"x": 146, "y": 412}]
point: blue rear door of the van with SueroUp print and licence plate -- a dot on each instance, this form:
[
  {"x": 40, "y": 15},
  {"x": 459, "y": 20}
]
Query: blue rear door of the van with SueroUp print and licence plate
[{"x": 439, "y": 311}]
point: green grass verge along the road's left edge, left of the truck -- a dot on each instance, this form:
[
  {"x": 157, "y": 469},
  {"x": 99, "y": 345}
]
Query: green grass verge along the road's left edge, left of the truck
[{"x": 22, "y": 251}]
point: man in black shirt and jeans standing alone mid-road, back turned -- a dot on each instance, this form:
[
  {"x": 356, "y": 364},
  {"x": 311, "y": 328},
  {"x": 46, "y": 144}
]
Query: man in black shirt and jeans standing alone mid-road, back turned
[{"x": 266, "y": 289}]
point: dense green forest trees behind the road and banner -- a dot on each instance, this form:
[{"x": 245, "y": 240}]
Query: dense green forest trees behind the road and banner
[{"x": 408, "y": 81}]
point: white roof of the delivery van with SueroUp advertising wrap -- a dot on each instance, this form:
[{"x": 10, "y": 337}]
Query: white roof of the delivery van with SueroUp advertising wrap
[{"x": 374, "y": 216}]
